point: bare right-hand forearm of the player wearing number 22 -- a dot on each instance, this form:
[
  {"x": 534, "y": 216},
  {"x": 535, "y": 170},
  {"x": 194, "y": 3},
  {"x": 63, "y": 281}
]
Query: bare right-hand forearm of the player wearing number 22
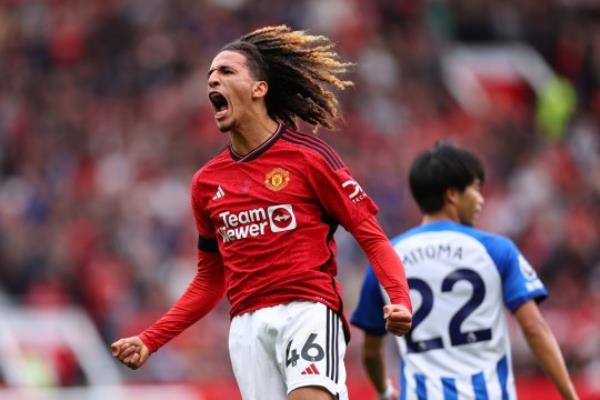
[{"x": 542, "y": 342}]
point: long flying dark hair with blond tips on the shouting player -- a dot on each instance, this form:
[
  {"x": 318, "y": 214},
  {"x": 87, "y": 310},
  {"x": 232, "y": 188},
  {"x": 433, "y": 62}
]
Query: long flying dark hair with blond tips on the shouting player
[{"x": 297, "y": 66}]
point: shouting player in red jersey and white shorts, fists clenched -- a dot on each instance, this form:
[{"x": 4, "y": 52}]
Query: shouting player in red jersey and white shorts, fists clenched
[{"x": 266, "y": 209}]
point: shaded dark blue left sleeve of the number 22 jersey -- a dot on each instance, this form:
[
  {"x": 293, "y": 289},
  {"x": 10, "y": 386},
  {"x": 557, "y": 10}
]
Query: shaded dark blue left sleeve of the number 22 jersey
[{"x": 368, "y": 315}]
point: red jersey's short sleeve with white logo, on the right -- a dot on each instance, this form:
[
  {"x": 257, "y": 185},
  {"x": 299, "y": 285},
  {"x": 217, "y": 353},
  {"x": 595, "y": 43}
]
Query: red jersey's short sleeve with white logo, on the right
[{"x": 340, "y": 194}]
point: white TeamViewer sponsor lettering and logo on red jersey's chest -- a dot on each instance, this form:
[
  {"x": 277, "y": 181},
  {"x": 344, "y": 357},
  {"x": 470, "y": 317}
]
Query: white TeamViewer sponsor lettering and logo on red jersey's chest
[{"x": 255, "y": 222}]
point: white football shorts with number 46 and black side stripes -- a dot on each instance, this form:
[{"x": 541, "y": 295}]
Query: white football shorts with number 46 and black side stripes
[{"x": 277, "y": 349}]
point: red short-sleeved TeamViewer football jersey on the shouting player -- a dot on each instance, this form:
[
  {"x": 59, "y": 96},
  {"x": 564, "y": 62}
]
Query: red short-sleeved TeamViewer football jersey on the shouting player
[{"x": 272, "y": 213}]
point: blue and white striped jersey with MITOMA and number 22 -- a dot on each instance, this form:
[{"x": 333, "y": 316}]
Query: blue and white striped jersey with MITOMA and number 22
[{"x": 459, "y": 279}]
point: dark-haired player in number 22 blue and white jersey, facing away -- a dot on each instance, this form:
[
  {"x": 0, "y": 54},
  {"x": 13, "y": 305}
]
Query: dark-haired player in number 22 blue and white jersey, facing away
[{"x": 460, "y": 278}]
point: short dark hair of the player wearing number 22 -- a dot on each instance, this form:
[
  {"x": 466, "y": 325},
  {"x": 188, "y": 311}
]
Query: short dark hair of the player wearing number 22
[{"x": 439, "y": 169}]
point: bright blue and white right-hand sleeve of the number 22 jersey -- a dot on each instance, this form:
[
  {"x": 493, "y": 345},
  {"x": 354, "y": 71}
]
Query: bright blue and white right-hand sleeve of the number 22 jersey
[{"x": 520, "y": 282}]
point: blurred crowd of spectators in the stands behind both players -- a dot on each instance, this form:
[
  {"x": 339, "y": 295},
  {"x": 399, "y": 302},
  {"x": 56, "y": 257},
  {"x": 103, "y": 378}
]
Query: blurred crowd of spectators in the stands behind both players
[{"x": 104, "y": 120}]
